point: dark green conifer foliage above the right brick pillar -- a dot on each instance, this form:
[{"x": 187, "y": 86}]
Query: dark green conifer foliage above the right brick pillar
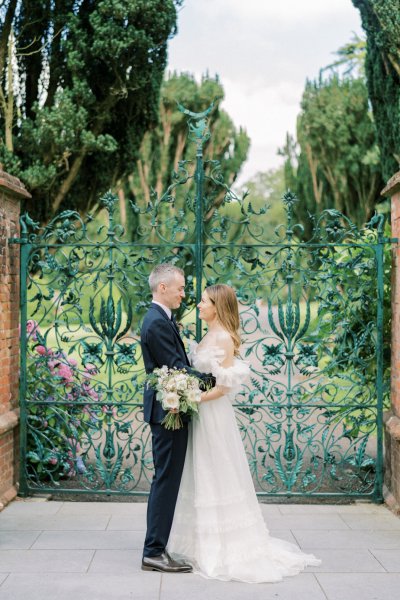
[{"x": 381, "y": 21}]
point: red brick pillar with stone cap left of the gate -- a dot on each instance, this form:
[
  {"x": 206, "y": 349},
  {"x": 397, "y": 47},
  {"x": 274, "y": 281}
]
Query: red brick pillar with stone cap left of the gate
[{"x": 11, "y": 192}]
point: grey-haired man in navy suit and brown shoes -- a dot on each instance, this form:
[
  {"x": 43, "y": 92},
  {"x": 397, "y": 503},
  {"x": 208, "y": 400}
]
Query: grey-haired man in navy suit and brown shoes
[{"x": 162, "y": 345}]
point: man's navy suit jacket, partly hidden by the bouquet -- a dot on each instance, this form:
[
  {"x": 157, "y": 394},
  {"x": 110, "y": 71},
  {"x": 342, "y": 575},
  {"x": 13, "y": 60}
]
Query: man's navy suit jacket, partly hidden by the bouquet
[{"x": 161, "y": 345}]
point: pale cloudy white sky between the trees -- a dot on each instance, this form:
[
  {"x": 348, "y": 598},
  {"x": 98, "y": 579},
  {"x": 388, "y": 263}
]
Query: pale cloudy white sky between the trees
[{"x": 263, "y": 52}]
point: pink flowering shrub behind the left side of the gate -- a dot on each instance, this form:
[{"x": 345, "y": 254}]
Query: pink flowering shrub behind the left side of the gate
[{"x": 61, "y": 410}]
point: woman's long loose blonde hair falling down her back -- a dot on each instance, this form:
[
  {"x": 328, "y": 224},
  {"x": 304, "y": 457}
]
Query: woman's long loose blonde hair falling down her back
[{"x": 224, "y": 299}]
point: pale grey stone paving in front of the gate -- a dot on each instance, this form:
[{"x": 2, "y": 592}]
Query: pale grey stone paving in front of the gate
[{"x": 79, "y": 550}]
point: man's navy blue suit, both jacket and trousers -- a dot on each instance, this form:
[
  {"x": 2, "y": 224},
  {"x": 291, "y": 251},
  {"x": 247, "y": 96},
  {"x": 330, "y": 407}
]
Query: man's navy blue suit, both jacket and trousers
[{"x": 162, "y": 345}]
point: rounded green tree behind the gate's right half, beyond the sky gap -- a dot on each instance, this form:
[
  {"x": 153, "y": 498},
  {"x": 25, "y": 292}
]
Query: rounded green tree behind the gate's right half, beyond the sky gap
[{"x": 338, "y": 162}]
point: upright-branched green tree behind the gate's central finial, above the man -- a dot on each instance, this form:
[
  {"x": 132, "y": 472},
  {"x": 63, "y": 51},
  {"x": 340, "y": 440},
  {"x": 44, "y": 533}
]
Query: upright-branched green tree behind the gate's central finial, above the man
[{"x": 158, "y": 205}]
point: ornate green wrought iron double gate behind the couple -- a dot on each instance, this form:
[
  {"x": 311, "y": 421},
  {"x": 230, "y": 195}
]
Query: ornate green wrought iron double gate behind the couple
[{"x": 312, "y": 320}]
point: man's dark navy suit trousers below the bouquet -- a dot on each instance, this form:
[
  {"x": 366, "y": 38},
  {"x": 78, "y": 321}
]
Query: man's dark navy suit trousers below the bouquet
[{"x": 169, "y": 450}]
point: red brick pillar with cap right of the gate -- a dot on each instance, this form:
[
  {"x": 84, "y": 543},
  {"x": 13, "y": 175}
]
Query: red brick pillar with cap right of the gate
[{"x": 392, "y": 416}]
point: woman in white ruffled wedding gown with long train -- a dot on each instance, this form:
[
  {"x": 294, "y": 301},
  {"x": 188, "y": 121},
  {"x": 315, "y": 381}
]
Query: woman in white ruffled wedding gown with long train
[{"x": 218, "y": 525}]
